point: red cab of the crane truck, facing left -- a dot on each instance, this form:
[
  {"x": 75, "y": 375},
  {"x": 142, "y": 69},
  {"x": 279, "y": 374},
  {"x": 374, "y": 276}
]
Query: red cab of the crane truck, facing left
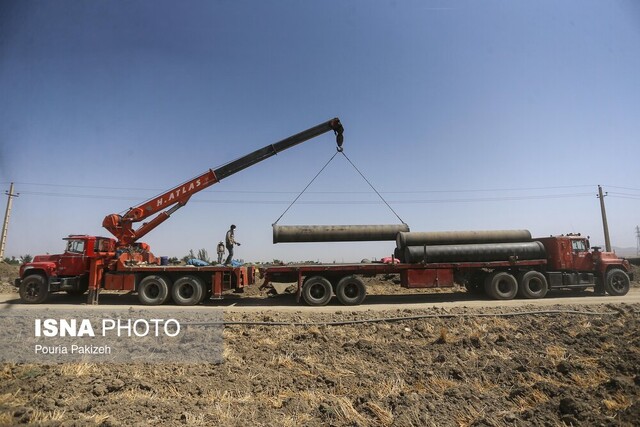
[{"x": 68, "y": 271}]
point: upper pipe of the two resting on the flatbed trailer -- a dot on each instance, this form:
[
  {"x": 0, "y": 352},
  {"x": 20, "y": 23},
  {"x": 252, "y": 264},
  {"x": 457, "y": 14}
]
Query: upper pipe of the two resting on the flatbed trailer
[{"x": 461, "y": 237}]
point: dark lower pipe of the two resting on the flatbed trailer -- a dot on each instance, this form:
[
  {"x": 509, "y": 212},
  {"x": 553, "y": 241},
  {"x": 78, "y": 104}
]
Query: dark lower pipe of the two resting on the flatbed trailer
[{"x": 475, "y": 253}]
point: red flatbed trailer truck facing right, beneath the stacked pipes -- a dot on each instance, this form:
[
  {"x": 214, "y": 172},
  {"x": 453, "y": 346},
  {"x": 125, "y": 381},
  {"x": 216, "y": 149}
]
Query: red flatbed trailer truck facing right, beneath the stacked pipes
[{"x": 561, "y": 262}]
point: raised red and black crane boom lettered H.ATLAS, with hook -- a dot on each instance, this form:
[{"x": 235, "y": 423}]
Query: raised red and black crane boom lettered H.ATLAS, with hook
[{"x": 121, "y": 226}]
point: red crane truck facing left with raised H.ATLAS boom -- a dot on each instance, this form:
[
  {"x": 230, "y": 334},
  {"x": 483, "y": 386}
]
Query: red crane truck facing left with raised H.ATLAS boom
[{"x": 93, "y": 262}]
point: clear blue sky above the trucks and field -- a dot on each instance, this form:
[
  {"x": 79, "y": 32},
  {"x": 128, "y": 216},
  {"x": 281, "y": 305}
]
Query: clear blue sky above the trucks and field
[{"x": 465, "y": 115}]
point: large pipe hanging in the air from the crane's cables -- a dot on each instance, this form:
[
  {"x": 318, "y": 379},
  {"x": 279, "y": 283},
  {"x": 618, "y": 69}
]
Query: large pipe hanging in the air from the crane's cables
[{"x": 336, "y": 233}]
